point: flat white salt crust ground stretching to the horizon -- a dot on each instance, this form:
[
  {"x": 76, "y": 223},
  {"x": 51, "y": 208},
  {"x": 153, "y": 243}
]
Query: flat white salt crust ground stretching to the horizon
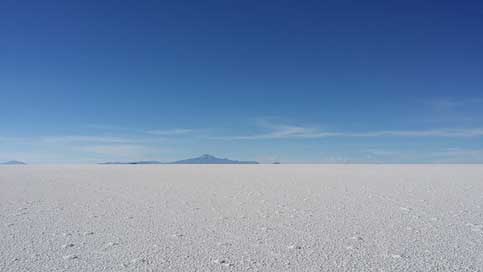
[{"x": 241, "y": 218}]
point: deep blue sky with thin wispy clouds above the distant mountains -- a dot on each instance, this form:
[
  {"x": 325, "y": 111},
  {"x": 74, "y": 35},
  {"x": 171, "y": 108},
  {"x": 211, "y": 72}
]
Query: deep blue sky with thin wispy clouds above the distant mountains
[{"x": 294, "y": 81}]
